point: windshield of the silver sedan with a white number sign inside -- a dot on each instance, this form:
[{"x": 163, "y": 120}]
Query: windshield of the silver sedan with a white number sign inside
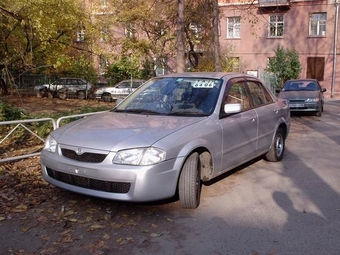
[{"x": 173, "y": 96}]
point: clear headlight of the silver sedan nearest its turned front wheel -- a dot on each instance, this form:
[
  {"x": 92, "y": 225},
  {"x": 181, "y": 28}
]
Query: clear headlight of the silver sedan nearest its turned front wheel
[{"x": 139, "y": 156}]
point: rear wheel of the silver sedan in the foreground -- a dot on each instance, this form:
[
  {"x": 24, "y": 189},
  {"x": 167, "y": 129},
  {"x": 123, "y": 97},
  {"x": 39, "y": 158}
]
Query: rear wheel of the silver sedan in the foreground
[{"x": 277, "y": 148}]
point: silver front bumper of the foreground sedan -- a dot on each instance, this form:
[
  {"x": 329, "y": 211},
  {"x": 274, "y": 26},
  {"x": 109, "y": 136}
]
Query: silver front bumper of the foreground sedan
[{"x": 112, "y": 181}]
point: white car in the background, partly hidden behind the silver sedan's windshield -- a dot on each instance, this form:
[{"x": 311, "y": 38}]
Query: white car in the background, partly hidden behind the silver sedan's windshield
[{"x": 119, "y": 91}]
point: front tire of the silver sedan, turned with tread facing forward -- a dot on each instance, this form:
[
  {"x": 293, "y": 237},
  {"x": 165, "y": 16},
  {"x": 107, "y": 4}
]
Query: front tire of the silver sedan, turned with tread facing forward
[{"x": 189, "y": 186}]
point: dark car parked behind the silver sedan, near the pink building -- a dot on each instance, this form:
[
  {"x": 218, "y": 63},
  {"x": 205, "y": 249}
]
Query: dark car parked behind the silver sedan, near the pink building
[{"x": 304, "y": 95}]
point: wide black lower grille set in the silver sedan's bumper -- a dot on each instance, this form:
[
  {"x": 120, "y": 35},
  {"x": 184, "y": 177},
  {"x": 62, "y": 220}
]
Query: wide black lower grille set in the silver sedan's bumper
[{"x": 88, "y": 183}]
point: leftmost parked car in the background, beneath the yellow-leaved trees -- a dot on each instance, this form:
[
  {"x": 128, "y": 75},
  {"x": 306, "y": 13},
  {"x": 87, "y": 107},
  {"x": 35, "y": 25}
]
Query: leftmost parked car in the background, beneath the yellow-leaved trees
[{"x": 65, "y": 87}]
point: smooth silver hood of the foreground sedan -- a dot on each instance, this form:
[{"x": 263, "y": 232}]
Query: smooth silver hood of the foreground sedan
[{"x": 114, "y": 131}]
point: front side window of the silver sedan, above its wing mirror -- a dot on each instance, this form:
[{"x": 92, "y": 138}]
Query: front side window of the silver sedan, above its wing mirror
[{"x": 238, "y": 95}]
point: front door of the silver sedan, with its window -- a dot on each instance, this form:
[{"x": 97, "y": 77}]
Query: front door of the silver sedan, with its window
[{"x": 239, "y": 130}]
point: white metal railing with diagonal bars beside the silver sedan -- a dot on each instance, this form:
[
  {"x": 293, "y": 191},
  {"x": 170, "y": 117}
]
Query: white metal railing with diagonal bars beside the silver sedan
[{"x": 23, "y": 124}]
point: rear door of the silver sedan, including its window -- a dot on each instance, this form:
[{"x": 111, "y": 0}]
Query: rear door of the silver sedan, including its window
[{"x": 267, "y": 113}]
